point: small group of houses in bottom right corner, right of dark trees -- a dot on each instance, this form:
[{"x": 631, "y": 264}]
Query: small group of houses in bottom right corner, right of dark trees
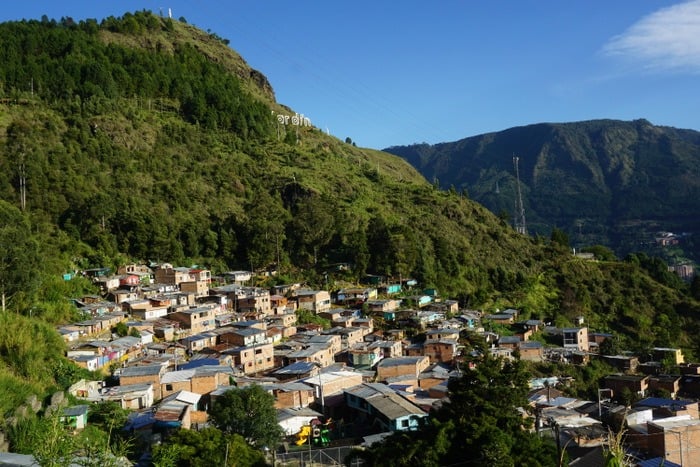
[{"x": 657, "y": 430}]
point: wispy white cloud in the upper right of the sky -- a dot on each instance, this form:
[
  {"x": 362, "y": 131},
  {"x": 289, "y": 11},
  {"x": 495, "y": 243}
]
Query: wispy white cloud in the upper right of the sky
[{"x": 666, "y": 40}]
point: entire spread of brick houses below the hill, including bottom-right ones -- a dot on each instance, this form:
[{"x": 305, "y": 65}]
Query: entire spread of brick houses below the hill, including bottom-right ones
[{"x": 193, "y": 337}]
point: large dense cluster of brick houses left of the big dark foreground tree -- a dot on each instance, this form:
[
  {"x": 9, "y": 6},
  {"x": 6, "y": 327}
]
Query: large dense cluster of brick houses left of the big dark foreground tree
[{"x": 191, "y": 337}]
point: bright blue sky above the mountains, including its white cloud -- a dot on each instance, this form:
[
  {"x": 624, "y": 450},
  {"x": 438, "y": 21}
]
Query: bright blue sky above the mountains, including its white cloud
[{"x": 392, "y": 73}]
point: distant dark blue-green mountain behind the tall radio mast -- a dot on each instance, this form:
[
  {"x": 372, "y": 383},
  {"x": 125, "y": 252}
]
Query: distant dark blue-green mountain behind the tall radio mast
[{"x": 602, "y": 181}]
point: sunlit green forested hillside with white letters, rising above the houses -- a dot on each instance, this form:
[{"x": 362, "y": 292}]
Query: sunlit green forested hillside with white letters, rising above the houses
[{"x": 145, "y": 139}]
